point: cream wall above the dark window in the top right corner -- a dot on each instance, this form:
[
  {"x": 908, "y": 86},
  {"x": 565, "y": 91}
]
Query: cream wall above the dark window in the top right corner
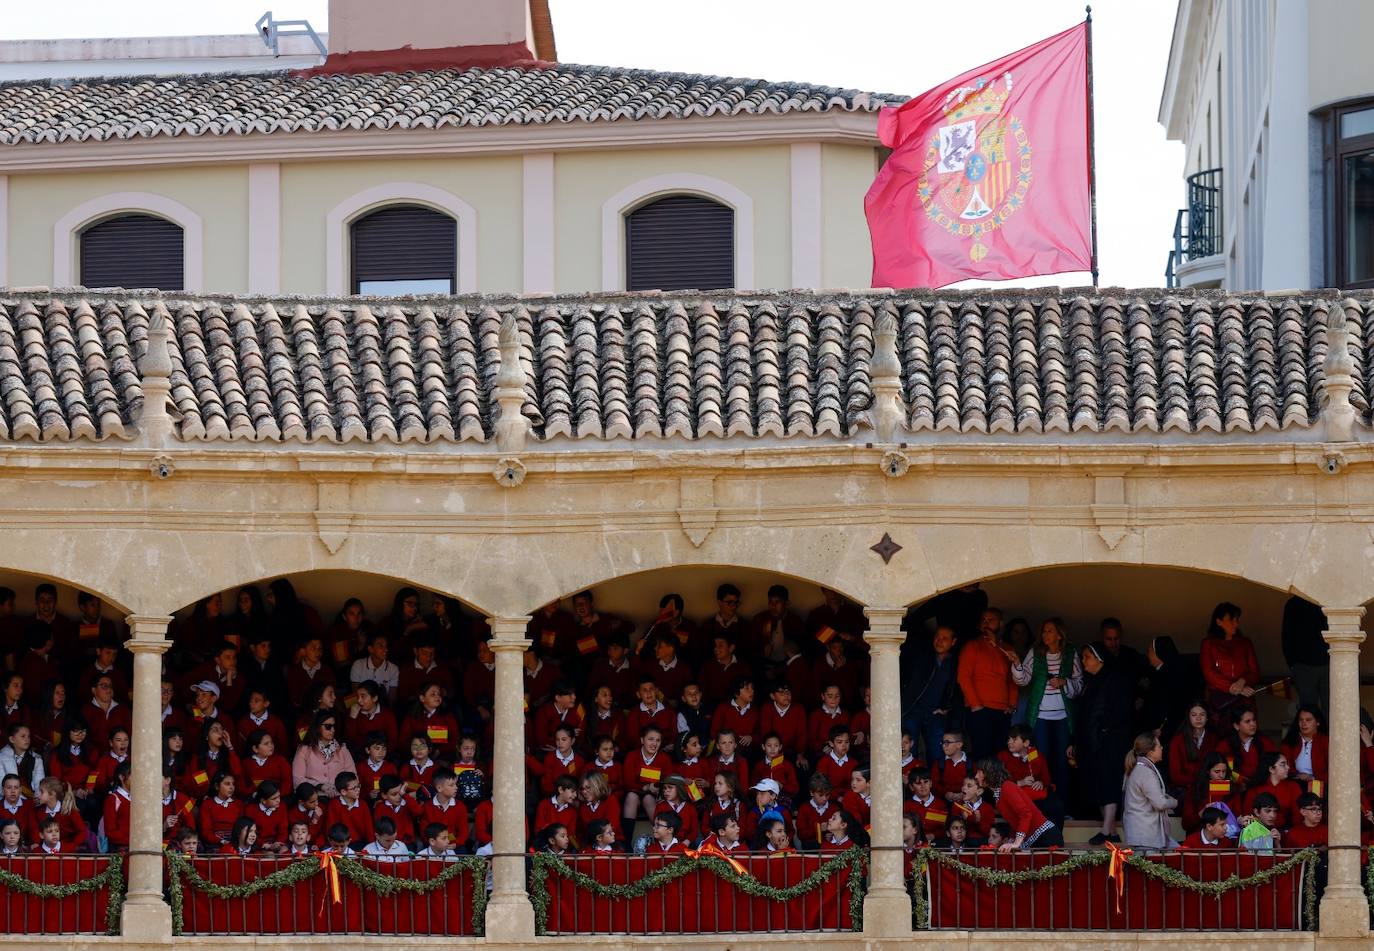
[{"x": 1339, "y": 63}]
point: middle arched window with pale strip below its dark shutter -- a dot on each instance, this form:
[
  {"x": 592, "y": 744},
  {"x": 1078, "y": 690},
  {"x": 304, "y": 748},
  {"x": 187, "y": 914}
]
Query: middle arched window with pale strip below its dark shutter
[{"x": 405, "y": 249}]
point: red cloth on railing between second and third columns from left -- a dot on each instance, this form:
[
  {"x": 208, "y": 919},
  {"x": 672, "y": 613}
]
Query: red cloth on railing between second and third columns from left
[{"x": 699, "y": 904}]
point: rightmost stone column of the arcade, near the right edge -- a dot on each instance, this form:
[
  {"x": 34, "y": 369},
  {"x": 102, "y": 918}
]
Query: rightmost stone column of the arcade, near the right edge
[{"x": 1346, "y": 910}]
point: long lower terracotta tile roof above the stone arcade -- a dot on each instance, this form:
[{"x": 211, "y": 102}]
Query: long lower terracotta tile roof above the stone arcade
[{"x": 637, "y": 366}]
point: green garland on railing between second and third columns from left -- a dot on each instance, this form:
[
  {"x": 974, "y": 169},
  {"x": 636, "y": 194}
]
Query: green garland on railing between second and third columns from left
[{"x": 854, "y": 860}]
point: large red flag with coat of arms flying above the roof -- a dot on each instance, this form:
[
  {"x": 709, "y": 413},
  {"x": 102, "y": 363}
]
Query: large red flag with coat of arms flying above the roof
[{"x": 989, "y": 175}]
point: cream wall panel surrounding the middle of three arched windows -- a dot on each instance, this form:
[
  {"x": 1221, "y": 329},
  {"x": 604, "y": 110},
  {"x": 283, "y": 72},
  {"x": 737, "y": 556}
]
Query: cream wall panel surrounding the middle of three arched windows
[{"x": 491, "y": 186}]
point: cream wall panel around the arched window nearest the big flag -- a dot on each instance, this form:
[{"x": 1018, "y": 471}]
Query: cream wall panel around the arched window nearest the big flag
[{"x": 585, "y": 182}]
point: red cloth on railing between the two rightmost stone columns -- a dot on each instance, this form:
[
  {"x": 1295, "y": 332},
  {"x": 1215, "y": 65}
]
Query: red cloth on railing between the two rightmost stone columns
[{"x": 1086, "y": 899}]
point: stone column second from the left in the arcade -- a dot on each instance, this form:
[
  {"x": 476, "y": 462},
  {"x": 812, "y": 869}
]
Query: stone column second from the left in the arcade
[{"x": 510, "y": 917}]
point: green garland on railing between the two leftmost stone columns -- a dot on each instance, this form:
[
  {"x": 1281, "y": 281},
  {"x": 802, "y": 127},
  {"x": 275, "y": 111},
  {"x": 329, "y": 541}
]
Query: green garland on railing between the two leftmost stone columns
[{"x": 181, "y": 871}]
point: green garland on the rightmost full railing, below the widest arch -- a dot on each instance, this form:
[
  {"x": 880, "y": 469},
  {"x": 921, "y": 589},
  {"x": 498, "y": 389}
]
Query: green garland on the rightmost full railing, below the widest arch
[{"x": 1156, "y": 871}]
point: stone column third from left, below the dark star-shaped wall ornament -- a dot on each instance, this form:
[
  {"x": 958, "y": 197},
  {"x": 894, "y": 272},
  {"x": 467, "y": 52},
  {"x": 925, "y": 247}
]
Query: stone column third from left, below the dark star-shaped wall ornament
[{"x": 887, "y": 908}]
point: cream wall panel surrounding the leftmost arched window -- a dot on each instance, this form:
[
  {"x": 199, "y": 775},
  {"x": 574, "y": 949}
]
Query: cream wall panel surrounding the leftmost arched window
[{"x": 218, "y": 194}]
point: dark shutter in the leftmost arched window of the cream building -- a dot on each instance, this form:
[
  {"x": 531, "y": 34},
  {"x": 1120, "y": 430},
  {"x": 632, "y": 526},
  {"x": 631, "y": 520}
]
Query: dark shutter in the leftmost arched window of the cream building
[{"x": 134, "y": 251}]
